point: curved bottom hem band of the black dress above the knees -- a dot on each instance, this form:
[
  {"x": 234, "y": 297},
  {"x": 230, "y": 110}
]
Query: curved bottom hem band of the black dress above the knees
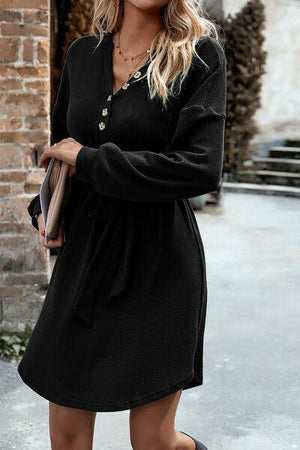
[{"x": 187, "y": 383}]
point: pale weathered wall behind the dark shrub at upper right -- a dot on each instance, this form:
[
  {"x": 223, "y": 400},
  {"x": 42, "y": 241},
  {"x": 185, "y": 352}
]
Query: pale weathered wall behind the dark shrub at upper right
[{"x": 279, "y": 115}]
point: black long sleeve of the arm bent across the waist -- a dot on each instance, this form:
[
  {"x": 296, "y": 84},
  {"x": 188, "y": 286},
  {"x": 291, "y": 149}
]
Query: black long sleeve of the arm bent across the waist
[{"x": 190, "y": 166}]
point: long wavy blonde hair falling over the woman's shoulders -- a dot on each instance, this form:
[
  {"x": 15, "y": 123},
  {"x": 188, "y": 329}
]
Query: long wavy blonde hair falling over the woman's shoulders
[{"x": 172, "y": 49}]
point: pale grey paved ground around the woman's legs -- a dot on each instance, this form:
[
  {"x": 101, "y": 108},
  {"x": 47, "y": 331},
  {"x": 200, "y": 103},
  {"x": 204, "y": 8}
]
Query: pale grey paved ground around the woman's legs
[{"x": 250, "y": 396}]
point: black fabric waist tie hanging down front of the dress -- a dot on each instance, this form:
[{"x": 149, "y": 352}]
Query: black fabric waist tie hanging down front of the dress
[{"x": 108, "y": 270}]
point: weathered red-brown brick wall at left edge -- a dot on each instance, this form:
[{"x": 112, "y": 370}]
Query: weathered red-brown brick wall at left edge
[{"x": 24, "y": 131}]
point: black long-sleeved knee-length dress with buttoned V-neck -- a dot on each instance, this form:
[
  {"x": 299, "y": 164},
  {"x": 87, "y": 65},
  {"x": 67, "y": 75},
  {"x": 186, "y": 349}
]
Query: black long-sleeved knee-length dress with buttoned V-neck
[{"x": 122, "y": 323}]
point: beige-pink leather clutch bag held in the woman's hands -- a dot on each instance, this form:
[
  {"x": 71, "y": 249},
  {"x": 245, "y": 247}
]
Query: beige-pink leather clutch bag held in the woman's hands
[{"x": 55, "y": 193}]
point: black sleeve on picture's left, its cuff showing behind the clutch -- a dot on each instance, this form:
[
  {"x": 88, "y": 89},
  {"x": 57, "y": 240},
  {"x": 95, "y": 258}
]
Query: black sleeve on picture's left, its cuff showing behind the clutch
[{"x": 59, "y": 129}]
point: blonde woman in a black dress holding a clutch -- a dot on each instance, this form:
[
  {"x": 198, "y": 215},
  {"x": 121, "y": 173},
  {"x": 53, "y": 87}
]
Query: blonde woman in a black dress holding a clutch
[{"x": 140, "y": 117}]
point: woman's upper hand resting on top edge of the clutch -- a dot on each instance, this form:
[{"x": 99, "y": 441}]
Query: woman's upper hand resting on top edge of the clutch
[{"x": 65, "y": 150}]
